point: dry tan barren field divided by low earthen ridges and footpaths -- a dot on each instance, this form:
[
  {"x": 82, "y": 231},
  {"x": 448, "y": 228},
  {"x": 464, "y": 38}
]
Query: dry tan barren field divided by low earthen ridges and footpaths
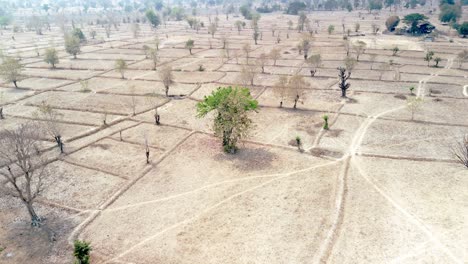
[{"x": 379, "y": 186}]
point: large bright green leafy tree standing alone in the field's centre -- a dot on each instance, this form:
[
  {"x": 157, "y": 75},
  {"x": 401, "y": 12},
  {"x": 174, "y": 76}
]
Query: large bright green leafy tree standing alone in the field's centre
[{"x": 231, "y": 107}]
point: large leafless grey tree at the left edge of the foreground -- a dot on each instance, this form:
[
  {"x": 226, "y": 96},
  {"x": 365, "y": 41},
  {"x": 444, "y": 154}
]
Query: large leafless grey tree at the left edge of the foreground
[{"x": 24, "y": 167}]
